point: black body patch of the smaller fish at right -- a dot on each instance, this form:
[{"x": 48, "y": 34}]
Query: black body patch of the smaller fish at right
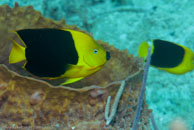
[{"x": 166, "y": 54}]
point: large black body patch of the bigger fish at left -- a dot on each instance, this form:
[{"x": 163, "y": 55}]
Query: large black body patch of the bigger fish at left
[{"x": 48, "y": 51}]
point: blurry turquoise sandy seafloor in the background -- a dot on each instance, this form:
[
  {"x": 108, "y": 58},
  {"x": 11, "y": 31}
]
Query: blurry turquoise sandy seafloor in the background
[{"x": 125, "y": 24}]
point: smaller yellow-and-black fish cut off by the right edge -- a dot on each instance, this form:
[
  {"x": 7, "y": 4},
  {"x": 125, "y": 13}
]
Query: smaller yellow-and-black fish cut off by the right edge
[{"x": 168, "y": 56}]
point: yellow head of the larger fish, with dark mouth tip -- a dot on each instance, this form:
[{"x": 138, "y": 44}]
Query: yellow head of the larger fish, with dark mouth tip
[{"x": 90, "y": 53}]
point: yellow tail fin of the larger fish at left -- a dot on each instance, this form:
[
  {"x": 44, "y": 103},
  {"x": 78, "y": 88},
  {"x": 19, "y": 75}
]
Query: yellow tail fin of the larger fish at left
[{"x": 17, "y": 53}]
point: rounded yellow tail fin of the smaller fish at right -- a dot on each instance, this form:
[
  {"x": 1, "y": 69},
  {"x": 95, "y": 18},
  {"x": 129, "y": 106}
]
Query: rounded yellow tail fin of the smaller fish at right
[{"x": 143, "y": 49}]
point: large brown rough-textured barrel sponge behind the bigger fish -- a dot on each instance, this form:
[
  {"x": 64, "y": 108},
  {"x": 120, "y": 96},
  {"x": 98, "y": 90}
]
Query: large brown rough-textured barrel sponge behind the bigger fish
[{"x": 26, "y": 102}]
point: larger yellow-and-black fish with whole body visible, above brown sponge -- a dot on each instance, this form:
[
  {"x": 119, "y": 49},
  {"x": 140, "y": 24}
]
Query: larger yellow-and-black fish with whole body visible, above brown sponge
[{"x": 58, "y": 53}]
